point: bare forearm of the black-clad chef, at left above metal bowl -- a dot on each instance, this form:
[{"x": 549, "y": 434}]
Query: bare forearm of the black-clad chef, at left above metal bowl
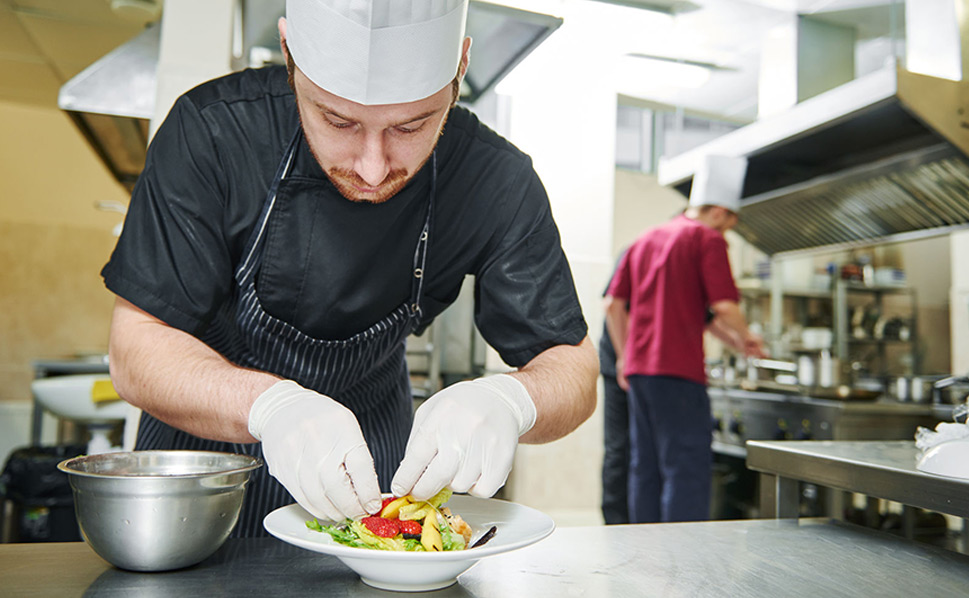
[{"x": 178, "y": 379}]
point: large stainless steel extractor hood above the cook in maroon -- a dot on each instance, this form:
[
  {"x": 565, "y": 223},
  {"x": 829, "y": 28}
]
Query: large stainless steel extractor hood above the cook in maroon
[{"x": 881, "y": 158}]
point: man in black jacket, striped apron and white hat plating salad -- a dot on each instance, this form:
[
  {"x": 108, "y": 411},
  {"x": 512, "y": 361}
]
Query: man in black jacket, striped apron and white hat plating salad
[{"x": 293, "y": 226}]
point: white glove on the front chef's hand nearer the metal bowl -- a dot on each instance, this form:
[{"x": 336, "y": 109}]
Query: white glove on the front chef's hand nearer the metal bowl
[{"x": 314, "y": 447}]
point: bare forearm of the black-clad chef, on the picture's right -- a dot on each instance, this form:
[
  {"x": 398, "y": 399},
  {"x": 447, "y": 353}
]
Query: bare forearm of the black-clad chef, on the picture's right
[{"x": 562, "y": 383}]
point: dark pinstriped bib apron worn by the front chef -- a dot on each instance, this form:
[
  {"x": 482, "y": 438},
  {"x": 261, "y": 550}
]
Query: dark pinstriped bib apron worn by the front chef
[{"x": 366, "y": 372}]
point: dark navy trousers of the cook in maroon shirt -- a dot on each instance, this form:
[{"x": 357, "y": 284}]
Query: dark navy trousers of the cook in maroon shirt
[{"x": 670, "y": 455}]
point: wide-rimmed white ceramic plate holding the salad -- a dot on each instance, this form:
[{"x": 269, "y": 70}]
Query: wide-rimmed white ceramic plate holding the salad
[{"x": 517, "y": 525}]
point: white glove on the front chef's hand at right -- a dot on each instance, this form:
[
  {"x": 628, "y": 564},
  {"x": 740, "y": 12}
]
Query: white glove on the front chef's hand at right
[{"x": 465, "y": 437}]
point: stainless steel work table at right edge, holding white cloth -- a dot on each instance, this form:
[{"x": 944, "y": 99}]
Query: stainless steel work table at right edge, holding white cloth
[{"x": 877, "y": 469}]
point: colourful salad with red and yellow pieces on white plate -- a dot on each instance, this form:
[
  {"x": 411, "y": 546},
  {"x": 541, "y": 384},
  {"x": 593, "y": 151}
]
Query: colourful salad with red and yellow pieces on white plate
[{"x": 405, "y": 524}]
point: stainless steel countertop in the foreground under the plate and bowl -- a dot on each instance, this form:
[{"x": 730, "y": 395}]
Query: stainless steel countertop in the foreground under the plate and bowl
[{"x": 736, "y": 559}]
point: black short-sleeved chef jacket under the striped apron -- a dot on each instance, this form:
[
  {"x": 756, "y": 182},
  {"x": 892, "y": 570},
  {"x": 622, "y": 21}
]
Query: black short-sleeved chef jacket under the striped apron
[{"x": 333, "y": 267}]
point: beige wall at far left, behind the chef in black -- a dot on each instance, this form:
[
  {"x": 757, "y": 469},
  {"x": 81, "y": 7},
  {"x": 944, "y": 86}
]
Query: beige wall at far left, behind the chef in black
[{"x": 53, "y": 242}]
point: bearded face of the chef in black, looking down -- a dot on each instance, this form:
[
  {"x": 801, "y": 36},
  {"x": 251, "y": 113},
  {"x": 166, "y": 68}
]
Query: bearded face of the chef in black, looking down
[{"x": 369, "y": 152}]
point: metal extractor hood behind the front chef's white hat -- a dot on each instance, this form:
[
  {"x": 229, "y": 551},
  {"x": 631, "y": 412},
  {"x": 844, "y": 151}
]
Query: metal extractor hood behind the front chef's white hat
[{"x": 112, "y": 101}]
